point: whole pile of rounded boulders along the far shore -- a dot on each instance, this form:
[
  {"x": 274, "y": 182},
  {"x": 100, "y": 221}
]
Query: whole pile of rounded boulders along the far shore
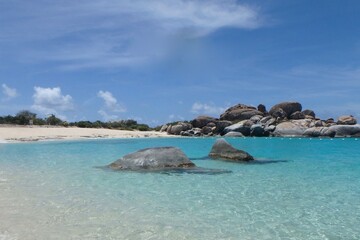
[{"x": 286, "y": 119}]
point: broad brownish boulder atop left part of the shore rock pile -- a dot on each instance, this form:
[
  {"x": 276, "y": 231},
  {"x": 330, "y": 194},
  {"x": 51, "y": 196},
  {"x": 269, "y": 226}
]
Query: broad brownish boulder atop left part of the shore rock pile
[{"x": 240, "y": 112}]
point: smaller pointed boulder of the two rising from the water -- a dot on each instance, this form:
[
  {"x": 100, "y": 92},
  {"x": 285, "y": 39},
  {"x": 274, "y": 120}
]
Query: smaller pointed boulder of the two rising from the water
[{"x": 223, "y": 150}]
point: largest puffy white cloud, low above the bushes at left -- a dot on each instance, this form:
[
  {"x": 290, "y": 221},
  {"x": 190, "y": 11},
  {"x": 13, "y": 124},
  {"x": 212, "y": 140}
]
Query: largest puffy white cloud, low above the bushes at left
[{"x": 51, "y": 101}]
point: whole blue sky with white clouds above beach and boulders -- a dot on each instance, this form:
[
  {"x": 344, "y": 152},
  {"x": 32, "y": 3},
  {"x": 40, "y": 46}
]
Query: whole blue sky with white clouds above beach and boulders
[{"x": 158, "y": 61}]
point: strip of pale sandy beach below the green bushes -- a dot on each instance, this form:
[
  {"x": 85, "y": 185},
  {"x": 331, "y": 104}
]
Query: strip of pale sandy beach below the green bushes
[{"x": 10, "y": 133}]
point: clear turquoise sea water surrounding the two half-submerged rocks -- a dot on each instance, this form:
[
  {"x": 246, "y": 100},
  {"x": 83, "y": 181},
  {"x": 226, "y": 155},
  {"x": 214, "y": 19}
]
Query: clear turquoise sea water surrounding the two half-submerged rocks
[{"x": 53, "y": 190}]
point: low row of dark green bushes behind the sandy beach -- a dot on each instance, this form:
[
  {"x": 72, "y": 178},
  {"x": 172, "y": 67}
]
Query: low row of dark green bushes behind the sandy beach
[{"x": 28, "y": 118}]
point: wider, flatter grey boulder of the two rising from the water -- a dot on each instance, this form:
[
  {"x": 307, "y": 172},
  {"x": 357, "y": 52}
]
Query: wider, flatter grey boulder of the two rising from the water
[{"x": 160, "y": 158}]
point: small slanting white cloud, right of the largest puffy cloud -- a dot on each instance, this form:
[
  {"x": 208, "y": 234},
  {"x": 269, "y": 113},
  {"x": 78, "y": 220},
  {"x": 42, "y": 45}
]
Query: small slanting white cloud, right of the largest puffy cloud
[{"x": 111, "y": 106}]
